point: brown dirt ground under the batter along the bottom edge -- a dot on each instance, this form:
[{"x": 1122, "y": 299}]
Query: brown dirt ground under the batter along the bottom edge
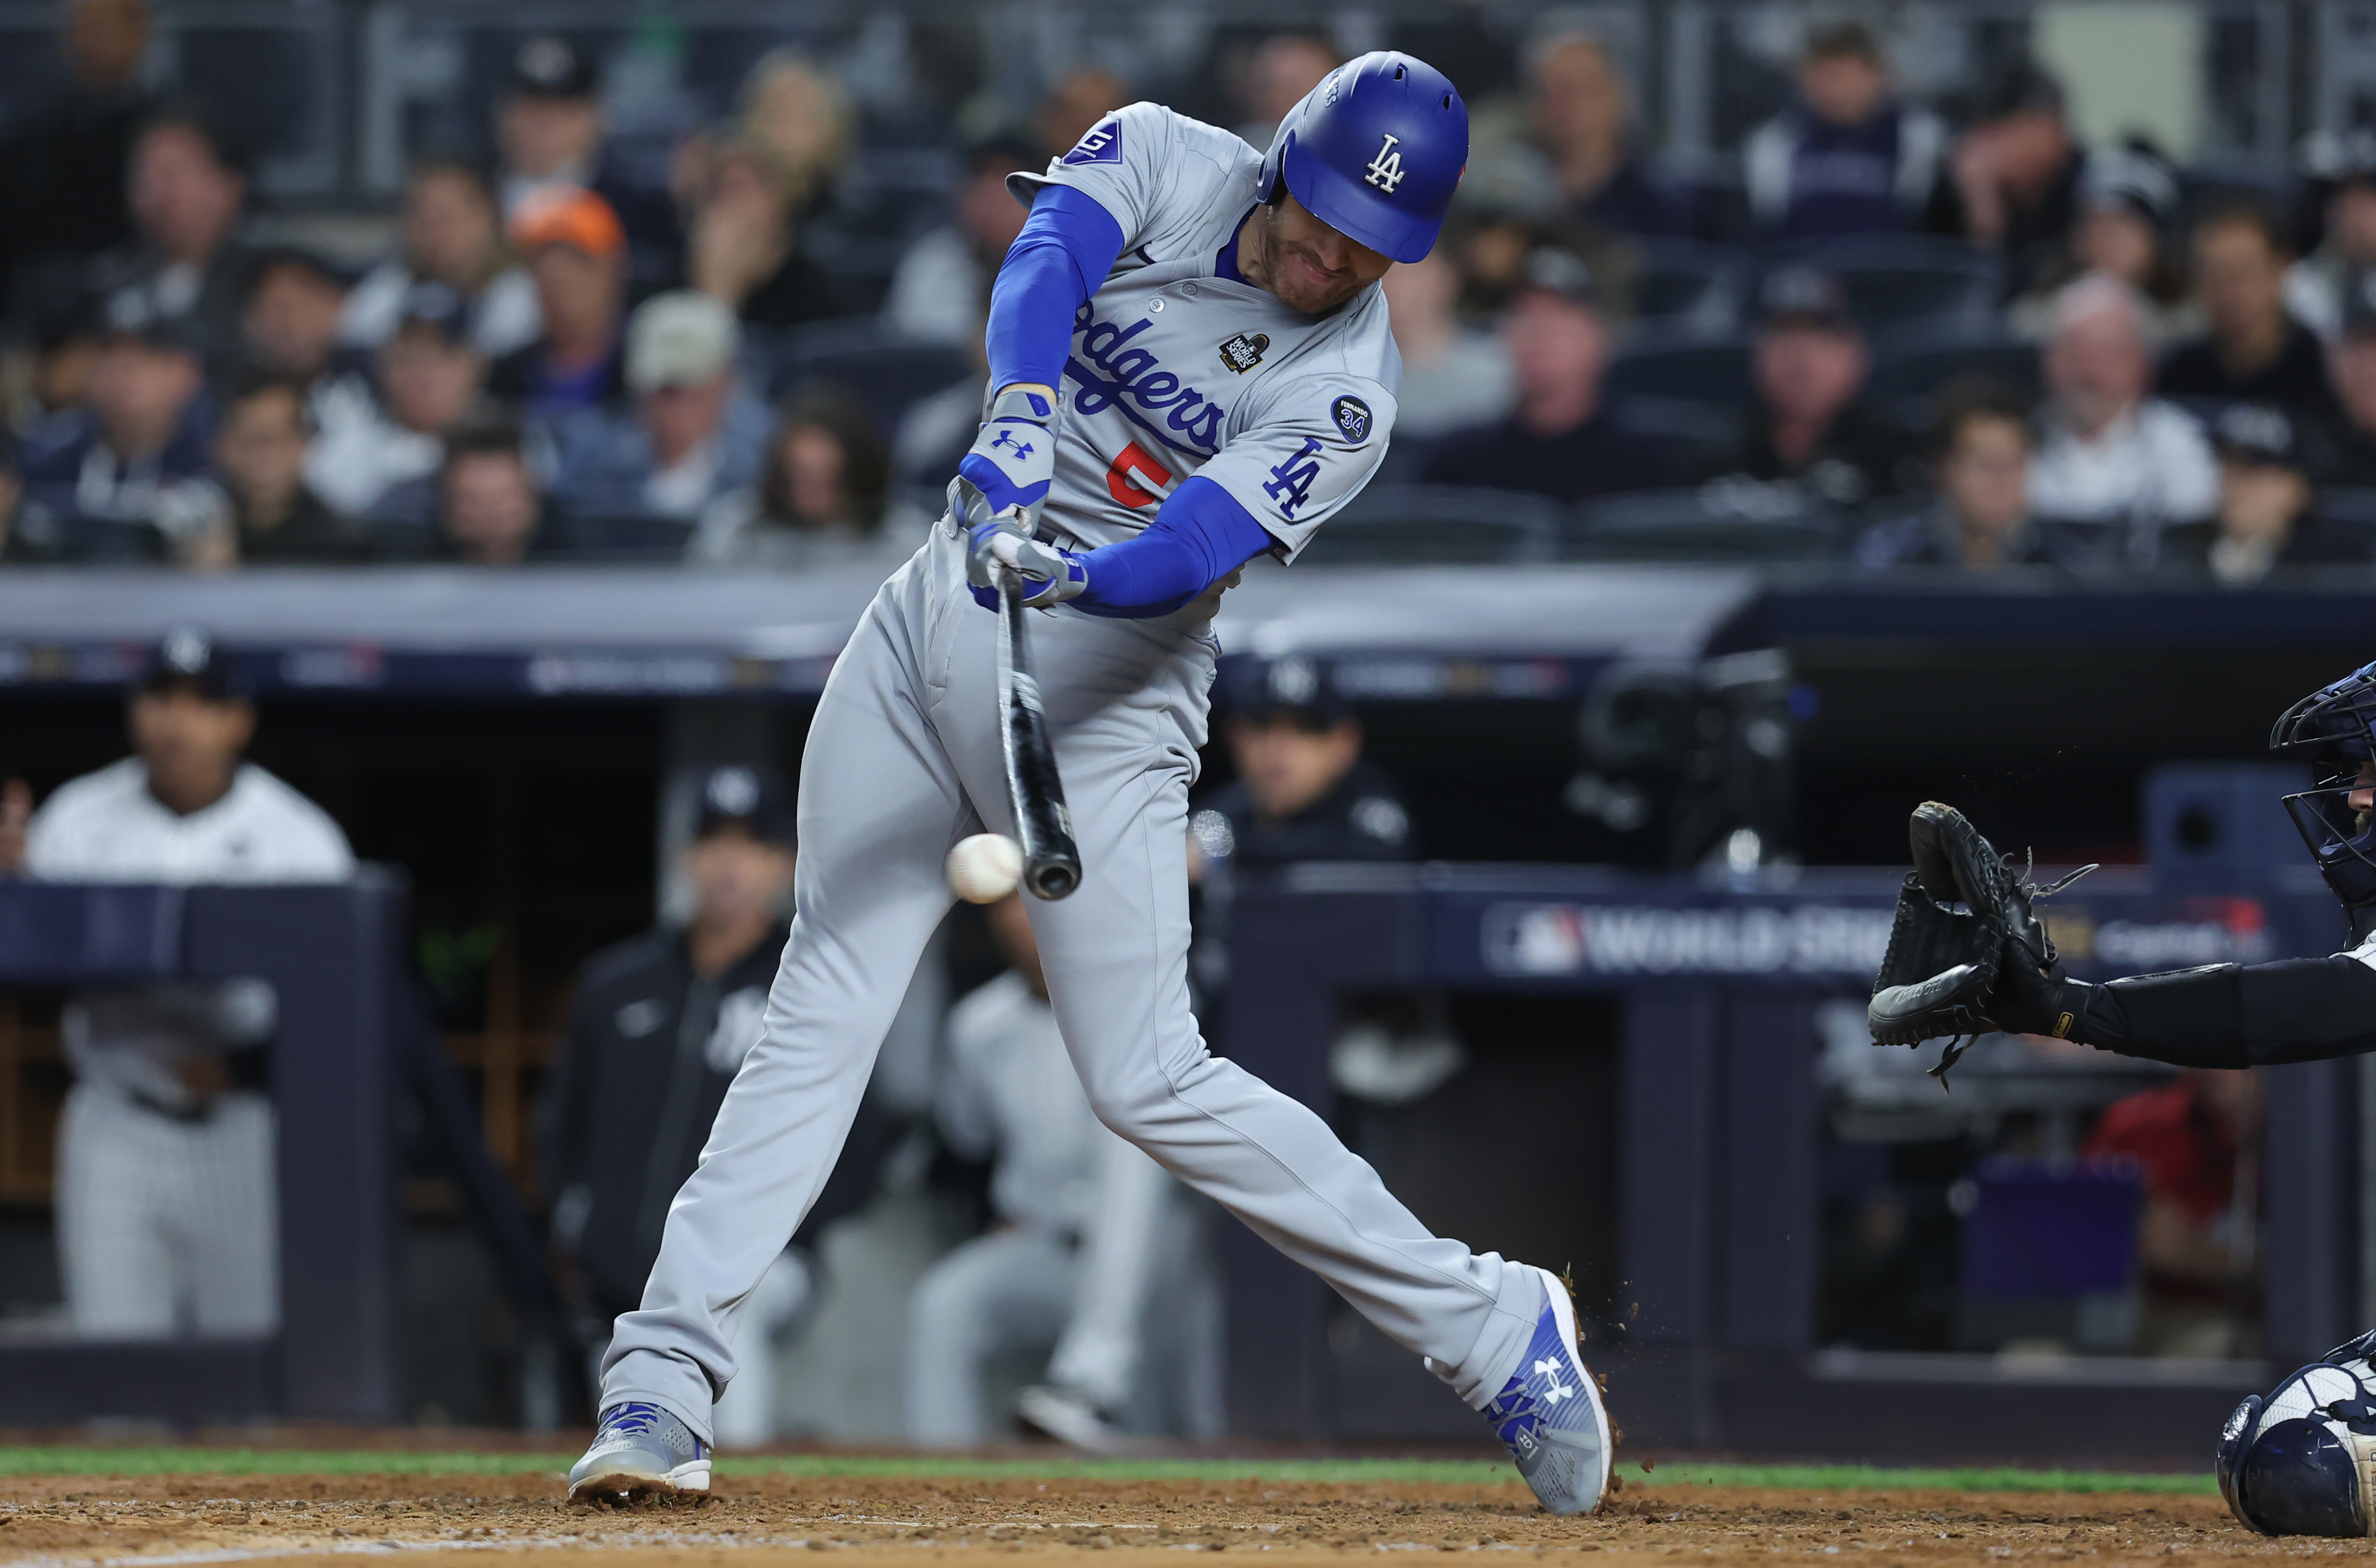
[{"x": 222, "y": 1519}]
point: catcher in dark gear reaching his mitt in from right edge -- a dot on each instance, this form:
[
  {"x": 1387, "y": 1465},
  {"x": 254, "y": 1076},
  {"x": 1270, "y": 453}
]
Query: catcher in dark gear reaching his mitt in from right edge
[{"x": 2301, "y": 1460}]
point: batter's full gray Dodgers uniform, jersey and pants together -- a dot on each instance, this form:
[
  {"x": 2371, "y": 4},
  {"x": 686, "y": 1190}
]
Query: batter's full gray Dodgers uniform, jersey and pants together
[{"x": 1170, "y": 372}]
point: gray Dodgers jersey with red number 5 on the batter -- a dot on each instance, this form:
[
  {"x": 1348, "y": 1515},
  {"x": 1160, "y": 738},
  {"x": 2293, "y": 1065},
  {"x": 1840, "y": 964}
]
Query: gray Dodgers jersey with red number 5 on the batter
[{"x": 1177, "y": 369}]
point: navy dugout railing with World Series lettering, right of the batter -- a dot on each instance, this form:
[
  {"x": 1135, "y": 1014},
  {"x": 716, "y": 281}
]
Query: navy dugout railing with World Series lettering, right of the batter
[{"x": 1717, "y": 1115}]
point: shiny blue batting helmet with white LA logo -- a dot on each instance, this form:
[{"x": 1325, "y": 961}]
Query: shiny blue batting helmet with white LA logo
[{"x": 1375, "y": 153}]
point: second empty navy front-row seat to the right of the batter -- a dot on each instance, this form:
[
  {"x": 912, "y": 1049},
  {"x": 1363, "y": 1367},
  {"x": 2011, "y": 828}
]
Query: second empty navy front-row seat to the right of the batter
[{"x": 1717, "y": 521}]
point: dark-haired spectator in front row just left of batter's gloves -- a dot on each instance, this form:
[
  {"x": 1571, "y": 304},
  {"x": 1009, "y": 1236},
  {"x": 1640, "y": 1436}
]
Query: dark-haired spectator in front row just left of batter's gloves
[{"x": 823, "y": 498}]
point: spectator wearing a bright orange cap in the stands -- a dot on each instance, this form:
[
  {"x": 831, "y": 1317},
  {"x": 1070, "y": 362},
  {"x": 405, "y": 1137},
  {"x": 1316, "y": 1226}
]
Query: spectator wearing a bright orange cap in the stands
[{"x": 579, "y": 258}]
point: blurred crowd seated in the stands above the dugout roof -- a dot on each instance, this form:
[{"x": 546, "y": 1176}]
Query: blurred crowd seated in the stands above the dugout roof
[{"x": 1888, "y": 336}]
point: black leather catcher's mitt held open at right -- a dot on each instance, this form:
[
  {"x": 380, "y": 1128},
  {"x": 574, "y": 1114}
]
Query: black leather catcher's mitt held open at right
[{"x": 1942, "y": 968}]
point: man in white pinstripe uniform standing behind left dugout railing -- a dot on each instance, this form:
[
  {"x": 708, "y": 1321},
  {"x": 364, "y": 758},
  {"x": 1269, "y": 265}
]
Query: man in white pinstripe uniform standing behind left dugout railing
[{"x": 168, "y": 1196}]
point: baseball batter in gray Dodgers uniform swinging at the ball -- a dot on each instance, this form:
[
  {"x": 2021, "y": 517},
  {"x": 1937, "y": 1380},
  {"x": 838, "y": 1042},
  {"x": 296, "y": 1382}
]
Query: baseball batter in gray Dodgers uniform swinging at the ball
[{"x": 1192, "y": 367}]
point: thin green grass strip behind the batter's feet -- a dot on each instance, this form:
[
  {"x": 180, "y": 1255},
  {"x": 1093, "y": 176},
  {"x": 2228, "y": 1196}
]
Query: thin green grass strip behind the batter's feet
[{"x": 933, "y": 1467}]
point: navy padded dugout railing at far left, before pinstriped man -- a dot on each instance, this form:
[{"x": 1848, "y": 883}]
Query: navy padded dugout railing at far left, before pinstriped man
[{"x": 350, "y": 1042}]
